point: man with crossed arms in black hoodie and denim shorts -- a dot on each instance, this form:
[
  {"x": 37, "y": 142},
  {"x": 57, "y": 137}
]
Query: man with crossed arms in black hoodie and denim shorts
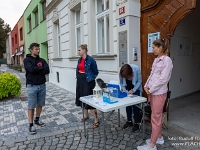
[{"x": 36, "y": 69}]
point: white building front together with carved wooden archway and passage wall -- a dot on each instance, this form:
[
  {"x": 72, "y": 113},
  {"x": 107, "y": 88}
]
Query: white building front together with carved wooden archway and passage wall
[{"x": 117, "y": 32}]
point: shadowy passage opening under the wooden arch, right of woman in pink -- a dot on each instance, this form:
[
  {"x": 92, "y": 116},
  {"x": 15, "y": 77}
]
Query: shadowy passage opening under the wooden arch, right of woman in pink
[{"x": 185, "y": 80}]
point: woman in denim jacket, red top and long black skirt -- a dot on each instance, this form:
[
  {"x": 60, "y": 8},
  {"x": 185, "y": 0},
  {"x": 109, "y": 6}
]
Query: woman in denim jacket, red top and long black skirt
[{"x": 86, "y": 72}]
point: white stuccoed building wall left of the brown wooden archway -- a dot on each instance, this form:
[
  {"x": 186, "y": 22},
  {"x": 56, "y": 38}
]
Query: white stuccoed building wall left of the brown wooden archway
[{"x": 110, "y": 28}]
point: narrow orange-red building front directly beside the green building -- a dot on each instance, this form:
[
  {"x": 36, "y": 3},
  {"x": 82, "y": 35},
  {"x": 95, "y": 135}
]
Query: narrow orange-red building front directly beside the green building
[{"x": 21, "y": 53}]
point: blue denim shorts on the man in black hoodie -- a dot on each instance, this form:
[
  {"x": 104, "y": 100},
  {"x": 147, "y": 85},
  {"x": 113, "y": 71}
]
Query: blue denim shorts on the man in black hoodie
[{"x": 36, "y": 95}]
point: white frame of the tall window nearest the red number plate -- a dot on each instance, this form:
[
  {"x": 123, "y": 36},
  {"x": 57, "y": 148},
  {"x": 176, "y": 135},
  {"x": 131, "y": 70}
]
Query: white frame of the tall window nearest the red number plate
[{"x": 102, "y": 14}]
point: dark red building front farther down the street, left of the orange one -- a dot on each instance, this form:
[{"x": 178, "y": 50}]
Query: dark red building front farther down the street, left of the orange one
[{"x": 15, "y": 44}]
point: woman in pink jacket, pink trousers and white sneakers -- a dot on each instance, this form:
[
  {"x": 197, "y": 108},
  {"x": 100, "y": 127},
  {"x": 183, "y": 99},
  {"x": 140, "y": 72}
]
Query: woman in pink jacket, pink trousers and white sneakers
[{"x": 156, "y": 88}]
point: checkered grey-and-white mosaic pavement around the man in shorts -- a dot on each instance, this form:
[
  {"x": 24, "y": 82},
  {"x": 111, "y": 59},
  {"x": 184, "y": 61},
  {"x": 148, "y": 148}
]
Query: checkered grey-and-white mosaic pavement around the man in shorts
[{"x": 60, "y": 112}]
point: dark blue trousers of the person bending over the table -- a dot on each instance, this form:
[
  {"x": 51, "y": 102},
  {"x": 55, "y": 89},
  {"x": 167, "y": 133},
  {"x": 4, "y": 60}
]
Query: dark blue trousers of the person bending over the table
[{"x": 133, "y": 109}]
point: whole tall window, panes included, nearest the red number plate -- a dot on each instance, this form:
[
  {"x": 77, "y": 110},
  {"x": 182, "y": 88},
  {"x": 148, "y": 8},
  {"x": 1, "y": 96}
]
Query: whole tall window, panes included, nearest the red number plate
[{"x": 102, "y": 26}]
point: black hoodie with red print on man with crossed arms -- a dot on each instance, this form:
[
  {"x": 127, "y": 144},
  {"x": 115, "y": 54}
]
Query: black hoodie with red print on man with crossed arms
[{"x": 36, "y": 69}]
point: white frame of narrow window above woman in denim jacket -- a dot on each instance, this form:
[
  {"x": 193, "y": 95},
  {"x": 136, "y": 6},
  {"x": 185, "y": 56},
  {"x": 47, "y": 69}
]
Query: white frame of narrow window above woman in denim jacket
[{"x": 78, "y": 25}]
